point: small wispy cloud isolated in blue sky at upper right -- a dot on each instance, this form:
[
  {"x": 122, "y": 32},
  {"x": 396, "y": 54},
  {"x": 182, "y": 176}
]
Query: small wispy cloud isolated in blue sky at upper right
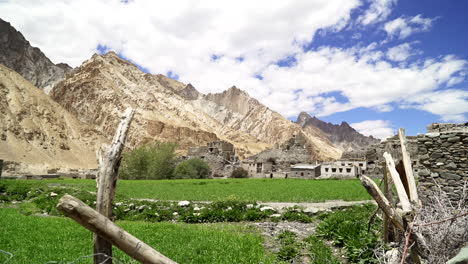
[{"x": 403, "y": 27}]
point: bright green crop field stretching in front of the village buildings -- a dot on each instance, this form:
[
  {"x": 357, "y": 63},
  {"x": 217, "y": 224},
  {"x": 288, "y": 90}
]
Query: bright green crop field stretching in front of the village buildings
[{"x": 276, "y": 190}]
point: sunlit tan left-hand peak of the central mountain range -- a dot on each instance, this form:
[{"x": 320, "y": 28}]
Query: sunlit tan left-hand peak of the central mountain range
[{"x": 106, "y": 84}]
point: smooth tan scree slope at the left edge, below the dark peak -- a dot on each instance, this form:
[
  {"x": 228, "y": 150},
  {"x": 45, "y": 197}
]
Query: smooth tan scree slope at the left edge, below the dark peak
[{"x": 36, "y": 130}]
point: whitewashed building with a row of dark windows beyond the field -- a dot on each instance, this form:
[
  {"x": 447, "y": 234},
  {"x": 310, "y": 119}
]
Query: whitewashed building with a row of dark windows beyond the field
[{"x": 343, "y": 169}]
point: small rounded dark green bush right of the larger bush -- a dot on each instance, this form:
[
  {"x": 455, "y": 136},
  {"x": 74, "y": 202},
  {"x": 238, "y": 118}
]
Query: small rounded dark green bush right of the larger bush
[{"x": 192, "y": 169}]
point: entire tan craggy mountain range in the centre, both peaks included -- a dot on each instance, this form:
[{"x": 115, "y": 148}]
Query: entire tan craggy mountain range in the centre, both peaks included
[{"x": 168, "y": 110}]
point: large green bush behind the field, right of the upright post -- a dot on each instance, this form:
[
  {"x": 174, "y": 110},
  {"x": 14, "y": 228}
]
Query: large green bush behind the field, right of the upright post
[{"x": 150, "y": 161}]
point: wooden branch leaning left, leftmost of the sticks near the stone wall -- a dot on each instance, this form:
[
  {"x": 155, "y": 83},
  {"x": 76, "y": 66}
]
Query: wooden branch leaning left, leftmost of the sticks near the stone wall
[{"x": 383, "y": 203}]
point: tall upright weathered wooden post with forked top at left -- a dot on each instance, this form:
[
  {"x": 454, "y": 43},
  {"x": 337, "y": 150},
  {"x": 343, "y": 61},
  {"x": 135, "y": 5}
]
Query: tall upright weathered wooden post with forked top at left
[{"x": 109, "y": 162}]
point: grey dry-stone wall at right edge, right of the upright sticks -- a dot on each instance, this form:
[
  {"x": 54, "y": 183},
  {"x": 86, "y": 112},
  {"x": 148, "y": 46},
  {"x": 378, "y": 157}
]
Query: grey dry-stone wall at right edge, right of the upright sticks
[{"x": 443, "y": 153}]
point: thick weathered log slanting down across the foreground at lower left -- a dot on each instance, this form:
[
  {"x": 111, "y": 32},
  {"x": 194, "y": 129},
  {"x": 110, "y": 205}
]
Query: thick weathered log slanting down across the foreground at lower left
[{"x": 105, "y": 228}]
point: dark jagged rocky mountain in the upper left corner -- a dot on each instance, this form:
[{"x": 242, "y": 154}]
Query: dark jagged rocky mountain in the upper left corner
[{"x": 17, "y": 54}]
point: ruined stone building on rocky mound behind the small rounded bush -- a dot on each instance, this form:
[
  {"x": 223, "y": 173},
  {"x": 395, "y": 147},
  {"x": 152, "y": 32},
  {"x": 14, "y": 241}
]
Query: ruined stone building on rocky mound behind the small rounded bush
[{"x": 220, "y": 156}]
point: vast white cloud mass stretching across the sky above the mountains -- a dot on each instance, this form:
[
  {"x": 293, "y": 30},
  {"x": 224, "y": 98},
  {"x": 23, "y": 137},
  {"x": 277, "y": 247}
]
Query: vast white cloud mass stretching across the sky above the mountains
[{"x": 181, "y": 36}]
